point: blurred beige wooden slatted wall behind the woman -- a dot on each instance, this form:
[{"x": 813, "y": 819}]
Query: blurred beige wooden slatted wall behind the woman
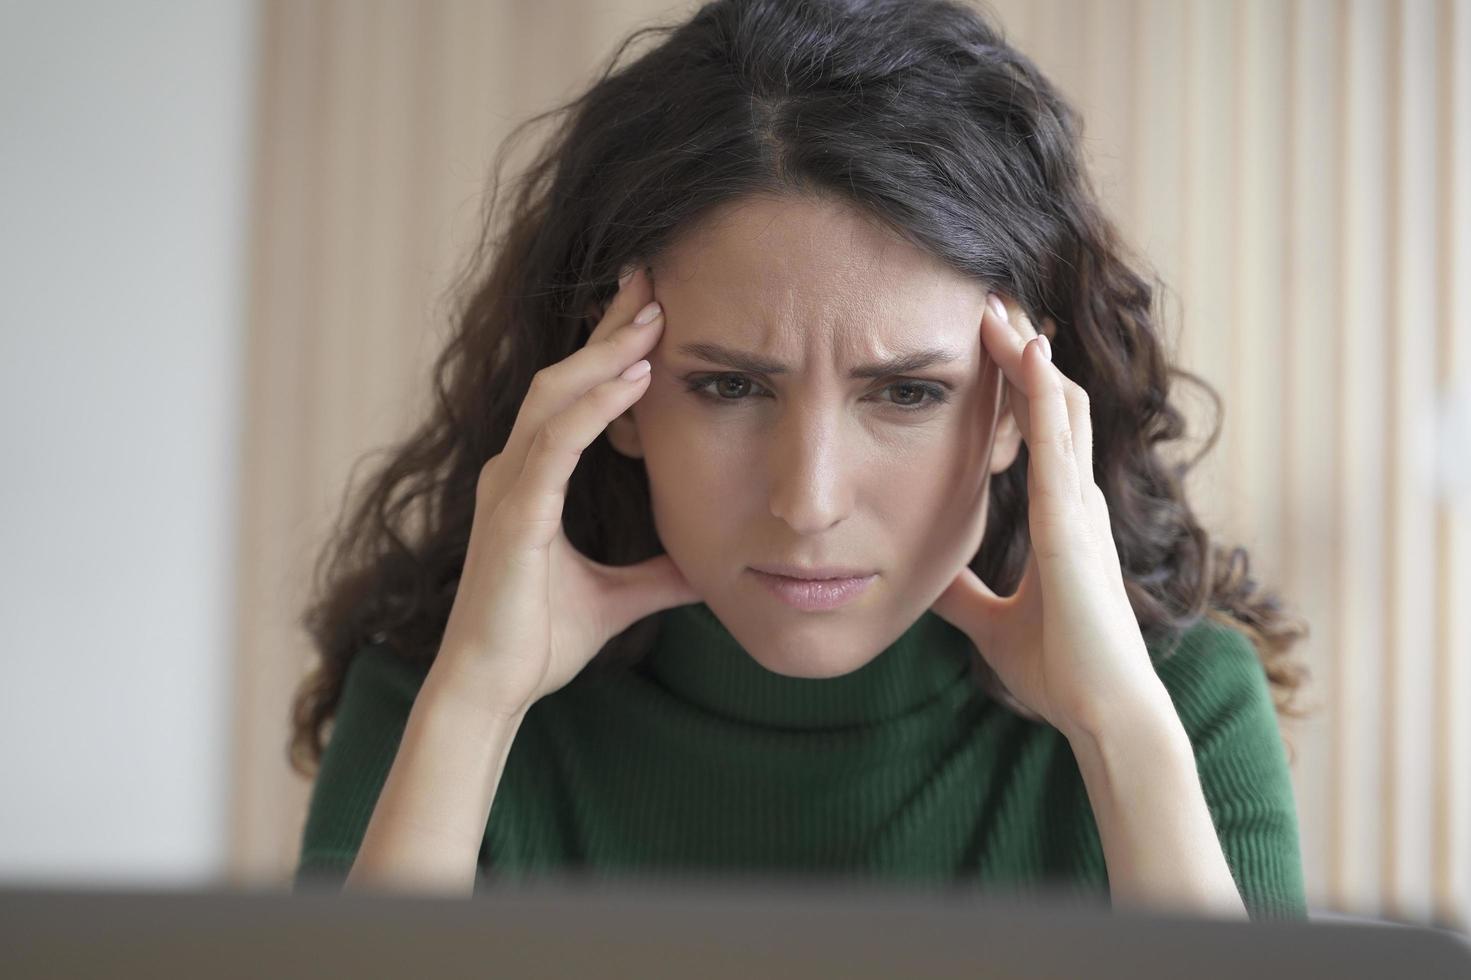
[{"x": 1298, "y": 173}]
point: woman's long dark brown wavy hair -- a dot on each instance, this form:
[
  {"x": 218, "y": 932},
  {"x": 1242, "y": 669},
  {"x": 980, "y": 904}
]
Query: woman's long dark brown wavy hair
[{"x": 920, "y": 114}]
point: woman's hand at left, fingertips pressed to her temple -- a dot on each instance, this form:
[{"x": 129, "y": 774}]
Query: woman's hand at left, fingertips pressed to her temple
[{"x": 530, "y": 610}]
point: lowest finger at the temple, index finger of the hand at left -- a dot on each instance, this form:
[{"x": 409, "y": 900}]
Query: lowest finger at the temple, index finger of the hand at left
[{"x": 530, "y": 514}]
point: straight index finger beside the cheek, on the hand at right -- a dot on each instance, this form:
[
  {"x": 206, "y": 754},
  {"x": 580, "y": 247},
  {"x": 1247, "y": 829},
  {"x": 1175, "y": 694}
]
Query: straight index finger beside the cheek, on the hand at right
[{"x": 1055, "y": 498}]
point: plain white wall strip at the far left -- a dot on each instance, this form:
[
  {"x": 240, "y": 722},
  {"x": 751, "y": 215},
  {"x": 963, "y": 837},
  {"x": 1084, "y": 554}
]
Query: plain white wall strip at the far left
[{"x": 124, "y": 176}]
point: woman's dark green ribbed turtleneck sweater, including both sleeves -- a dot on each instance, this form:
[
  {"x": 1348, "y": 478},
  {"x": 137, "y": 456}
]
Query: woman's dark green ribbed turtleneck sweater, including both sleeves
[{"x": 704, "y": 761}]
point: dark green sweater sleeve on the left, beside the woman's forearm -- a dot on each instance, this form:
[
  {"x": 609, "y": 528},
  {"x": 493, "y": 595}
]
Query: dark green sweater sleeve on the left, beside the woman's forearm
[{"x": 373, "y": 714}]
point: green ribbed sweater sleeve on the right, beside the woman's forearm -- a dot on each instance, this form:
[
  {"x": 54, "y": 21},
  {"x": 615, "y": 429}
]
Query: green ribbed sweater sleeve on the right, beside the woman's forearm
[{"x": 1225, "y": 703}]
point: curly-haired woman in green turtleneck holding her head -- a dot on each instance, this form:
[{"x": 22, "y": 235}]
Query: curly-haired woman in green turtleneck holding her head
[{"x": 596, "y": 651}]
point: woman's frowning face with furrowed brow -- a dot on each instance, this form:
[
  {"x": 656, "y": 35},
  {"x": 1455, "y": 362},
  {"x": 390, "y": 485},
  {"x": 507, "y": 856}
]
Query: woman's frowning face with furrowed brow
[{"x": 813, "y": 466}]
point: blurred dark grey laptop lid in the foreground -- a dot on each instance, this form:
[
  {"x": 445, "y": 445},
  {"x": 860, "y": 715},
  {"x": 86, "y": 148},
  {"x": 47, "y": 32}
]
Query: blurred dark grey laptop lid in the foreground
[{"x": 683, "y": 926}]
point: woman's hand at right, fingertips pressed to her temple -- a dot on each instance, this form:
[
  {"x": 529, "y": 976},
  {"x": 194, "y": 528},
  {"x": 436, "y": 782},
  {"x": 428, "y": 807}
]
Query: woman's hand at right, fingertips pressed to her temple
[{"x": 1067, "y": 644}]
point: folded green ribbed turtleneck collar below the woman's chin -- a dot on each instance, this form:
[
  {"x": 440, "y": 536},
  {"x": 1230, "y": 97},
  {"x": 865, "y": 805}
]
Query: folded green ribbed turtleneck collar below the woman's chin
[{"x": 698, "y": 660}]
